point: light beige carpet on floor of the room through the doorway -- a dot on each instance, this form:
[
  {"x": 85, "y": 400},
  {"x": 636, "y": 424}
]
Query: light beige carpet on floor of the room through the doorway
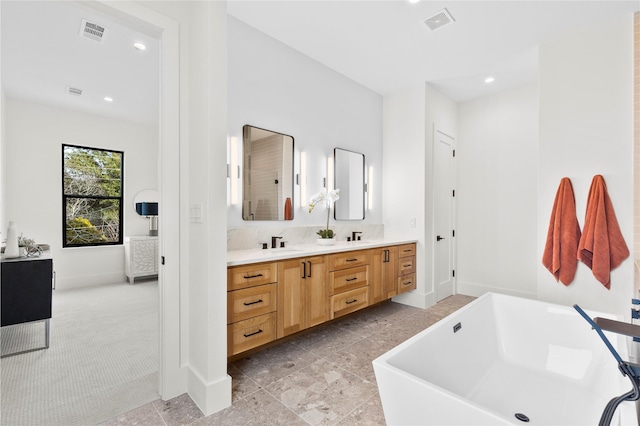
[{"x": 102, "y": 359}]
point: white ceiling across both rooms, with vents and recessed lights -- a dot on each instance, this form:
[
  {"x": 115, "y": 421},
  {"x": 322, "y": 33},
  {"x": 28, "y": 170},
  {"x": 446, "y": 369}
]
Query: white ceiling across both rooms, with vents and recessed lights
[{"x": 383, "y": 45}]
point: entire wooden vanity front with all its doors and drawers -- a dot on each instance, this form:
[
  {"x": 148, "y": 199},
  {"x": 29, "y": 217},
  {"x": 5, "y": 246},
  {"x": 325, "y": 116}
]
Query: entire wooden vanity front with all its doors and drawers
[{"x": 271, "y": 300}]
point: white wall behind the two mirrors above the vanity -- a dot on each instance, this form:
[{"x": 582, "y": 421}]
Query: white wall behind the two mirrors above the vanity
[{"x": 277, "y": 88}]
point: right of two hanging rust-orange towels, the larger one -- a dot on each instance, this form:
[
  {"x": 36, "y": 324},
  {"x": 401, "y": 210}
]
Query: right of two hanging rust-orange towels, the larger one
[{"x": 602, "y": 247}]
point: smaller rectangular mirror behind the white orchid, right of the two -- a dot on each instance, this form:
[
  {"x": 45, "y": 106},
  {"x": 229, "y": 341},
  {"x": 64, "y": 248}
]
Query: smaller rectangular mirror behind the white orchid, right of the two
[{"x": 349, "y": 178}]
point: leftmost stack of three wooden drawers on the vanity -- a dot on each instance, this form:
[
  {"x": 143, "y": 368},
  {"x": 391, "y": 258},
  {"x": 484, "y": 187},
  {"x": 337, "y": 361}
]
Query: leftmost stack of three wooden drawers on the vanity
[{"x": 251, "y": 306}]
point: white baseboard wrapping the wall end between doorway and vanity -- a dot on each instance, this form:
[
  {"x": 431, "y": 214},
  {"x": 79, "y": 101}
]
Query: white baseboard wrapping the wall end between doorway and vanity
[{"x": 210, "y": 397}]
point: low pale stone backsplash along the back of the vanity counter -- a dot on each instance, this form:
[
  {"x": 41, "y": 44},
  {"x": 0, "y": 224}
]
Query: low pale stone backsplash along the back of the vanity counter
[{"x": 249, "y": 238}]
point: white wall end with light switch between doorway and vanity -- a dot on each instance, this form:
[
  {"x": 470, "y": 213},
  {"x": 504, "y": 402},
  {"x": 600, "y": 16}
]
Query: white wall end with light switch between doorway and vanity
[{"x": 198, "y": 327}]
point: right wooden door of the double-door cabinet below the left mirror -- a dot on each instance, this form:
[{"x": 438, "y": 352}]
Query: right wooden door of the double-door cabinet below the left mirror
[{"x": 317, "y": 301}]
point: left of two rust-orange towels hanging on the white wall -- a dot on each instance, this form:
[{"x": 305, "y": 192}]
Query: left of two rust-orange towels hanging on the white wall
[{"x": 560, "y": 251}]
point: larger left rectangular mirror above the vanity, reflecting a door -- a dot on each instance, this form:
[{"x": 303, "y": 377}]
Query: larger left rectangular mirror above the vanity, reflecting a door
[{"x": 267, "y": 190}]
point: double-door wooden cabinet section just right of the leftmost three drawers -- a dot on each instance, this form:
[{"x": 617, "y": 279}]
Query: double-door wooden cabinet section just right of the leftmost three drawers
[{"x": 303, "y": 294}]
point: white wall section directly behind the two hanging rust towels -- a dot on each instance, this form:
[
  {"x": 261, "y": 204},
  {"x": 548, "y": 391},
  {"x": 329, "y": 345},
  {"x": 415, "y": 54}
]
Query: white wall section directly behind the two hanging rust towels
[{"x": 586, "y": 122}]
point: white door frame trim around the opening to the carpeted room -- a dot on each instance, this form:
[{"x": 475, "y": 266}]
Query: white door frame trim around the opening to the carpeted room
[{"x": 171, "y": 366}]
